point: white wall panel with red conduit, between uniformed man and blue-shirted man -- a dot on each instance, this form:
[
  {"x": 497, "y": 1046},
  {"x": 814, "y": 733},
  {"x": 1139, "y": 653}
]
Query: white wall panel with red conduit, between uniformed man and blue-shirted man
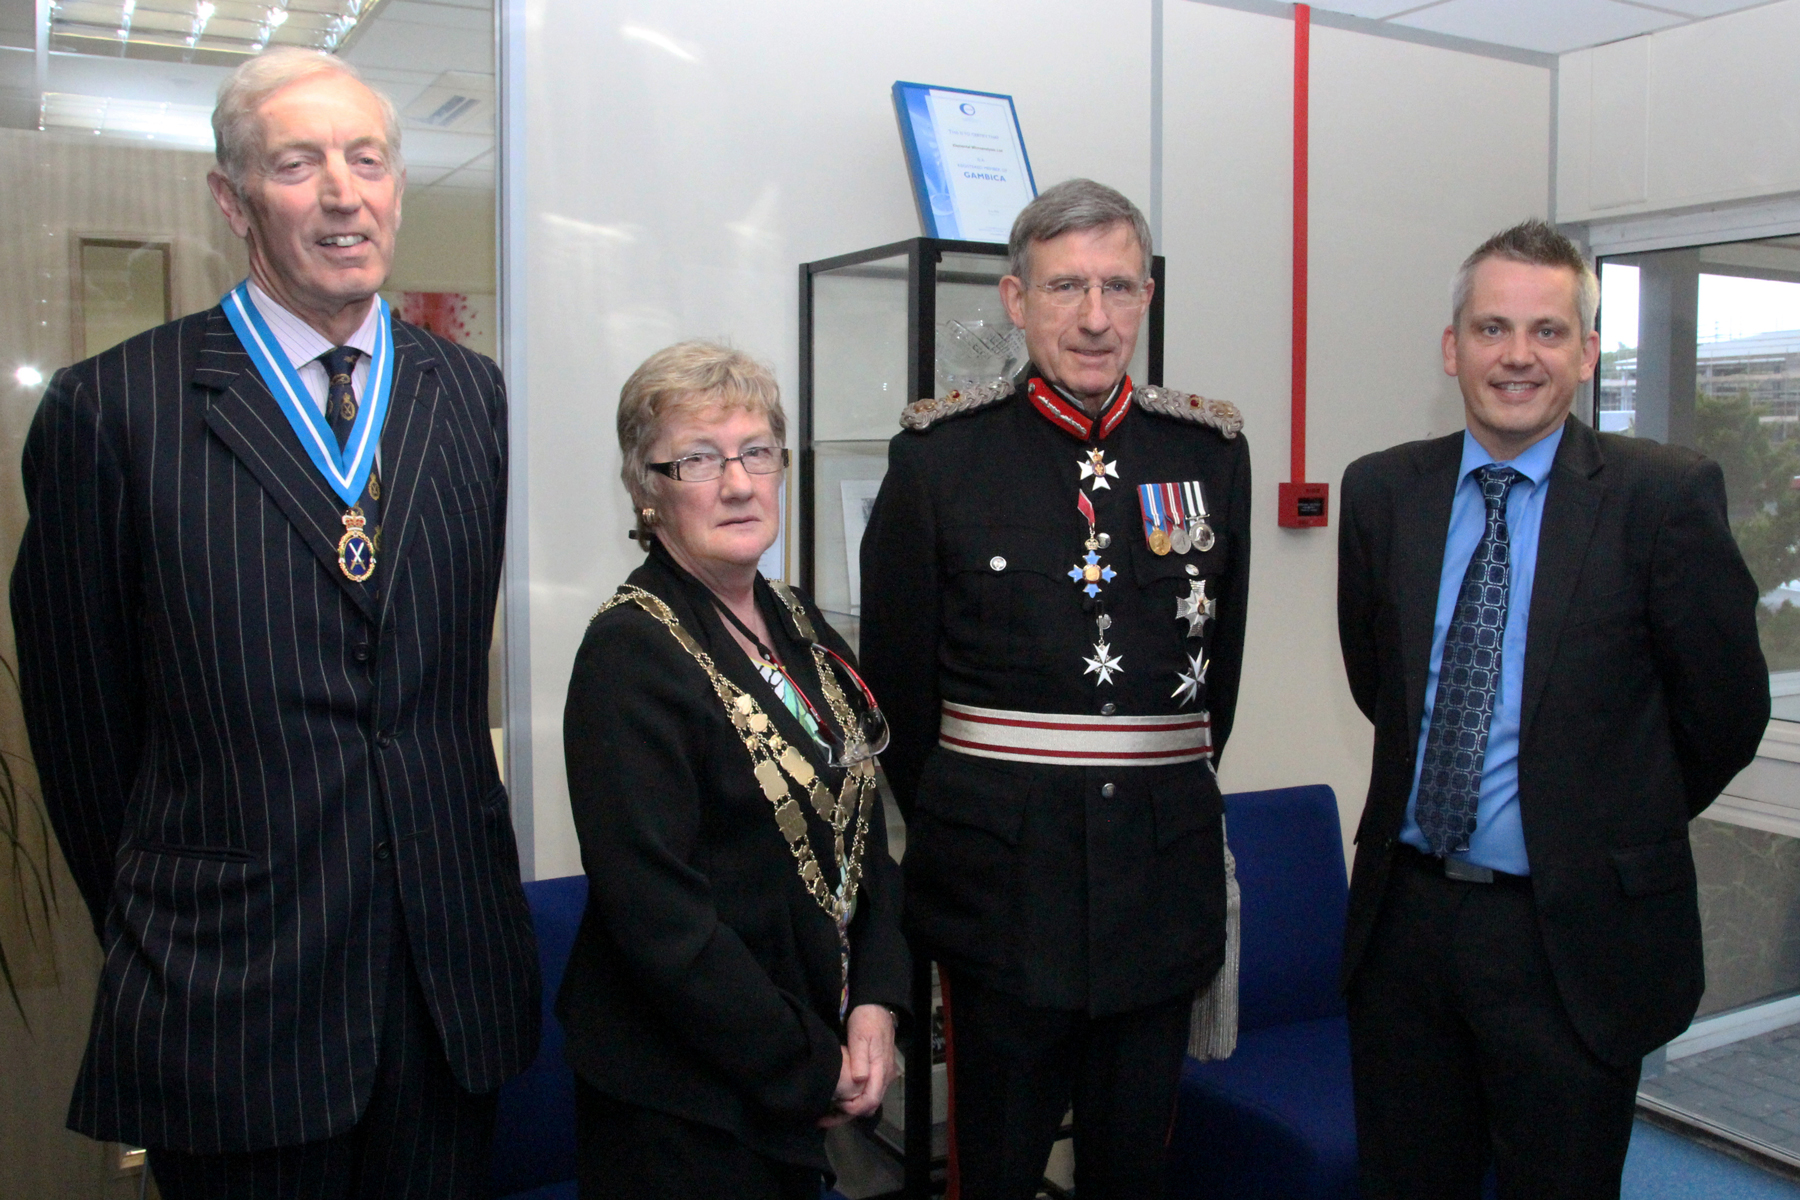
[{"x": 1417, "y": 156}]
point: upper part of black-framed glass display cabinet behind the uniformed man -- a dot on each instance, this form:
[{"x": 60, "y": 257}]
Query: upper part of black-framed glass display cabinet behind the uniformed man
[{"x": 879, "y": 330}]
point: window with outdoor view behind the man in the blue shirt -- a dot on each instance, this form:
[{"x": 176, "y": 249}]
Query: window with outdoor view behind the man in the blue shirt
[{"x": 1700, "y": 346}]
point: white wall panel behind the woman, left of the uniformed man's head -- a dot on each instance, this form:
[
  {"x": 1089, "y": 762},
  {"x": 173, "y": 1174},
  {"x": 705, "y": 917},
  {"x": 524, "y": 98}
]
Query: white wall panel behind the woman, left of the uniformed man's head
[{"x": 674, "y": 190}]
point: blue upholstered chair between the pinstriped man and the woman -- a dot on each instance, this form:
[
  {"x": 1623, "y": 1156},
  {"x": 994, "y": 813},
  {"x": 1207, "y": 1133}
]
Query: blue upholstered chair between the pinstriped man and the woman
[{"x": 534, "y": 1142}]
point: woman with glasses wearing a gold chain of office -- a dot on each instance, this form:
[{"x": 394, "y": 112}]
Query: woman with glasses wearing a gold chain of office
[{"x": 739, "y": 972}]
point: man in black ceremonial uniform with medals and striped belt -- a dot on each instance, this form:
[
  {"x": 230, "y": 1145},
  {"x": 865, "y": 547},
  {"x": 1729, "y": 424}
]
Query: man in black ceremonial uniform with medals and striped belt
[{"x": 1054, "y": 600}]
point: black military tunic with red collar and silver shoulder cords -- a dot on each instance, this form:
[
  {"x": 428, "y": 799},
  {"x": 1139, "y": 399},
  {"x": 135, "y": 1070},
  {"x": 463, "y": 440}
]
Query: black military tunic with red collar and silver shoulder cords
[{"x": 1101, "y": 888}]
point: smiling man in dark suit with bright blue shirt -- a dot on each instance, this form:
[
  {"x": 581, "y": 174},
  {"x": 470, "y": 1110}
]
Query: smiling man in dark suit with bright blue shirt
[{"x": 1554, "y": 636}]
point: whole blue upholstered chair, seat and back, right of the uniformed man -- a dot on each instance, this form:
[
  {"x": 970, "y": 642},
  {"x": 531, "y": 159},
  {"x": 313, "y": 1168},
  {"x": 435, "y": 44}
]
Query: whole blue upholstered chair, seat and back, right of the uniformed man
[{"x": 1277, "y": 1120}]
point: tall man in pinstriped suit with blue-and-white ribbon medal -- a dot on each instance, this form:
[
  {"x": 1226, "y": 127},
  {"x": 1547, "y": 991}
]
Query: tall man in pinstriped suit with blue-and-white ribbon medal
[{"x": 253, "y": 609}]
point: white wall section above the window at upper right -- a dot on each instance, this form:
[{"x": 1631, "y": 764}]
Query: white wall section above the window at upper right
[{"x": 1700, "y": 114}]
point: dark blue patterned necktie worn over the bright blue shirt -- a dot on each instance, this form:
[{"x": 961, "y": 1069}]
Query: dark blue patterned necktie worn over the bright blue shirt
[{"x": 1450, "y": 787}]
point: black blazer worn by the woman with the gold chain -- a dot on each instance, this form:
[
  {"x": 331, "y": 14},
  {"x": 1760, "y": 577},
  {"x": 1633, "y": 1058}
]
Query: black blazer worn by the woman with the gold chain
[{"x": 705, "y": 980}]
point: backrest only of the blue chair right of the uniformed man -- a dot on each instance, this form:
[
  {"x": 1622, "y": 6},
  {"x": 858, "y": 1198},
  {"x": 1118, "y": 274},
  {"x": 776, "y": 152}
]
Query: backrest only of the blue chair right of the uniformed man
[{"x": 1291, "y": 872}]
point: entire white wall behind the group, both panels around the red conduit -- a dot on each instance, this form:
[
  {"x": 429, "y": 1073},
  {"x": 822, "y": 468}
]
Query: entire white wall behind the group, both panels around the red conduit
[{"x": 678, "y": 177}]
